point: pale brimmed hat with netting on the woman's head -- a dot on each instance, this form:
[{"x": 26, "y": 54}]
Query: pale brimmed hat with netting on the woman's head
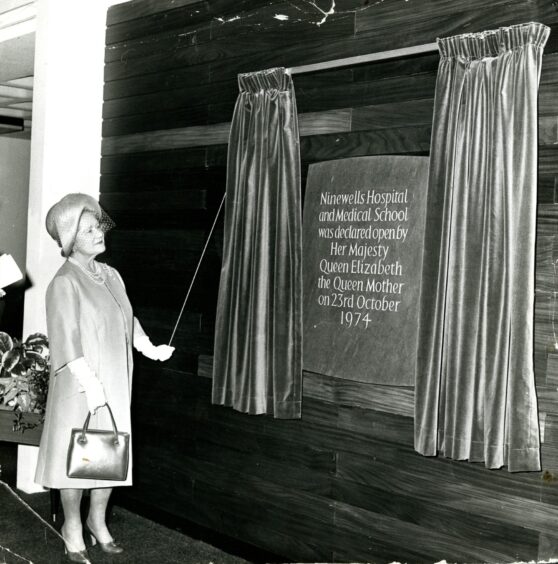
[{"x": 62, "y": 219}]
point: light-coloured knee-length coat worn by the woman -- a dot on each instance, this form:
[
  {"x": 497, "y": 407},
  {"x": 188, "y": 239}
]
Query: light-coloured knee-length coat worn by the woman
[{"x": 94, "y": 320}]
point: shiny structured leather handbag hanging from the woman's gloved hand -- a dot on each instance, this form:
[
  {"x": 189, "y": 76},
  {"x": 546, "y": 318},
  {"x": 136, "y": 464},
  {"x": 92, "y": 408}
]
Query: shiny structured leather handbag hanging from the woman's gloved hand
[{"x": 95, "y": 454}]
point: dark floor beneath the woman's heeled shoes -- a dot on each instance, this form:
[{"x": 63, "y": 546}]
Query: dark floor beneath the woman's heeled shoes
[{"x": 23, "y": 534}]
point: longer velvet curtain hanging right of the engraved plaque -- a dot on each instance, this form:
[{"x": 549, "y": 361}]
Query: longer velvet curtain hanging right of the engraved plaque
[{"x": 475, "y": 390}]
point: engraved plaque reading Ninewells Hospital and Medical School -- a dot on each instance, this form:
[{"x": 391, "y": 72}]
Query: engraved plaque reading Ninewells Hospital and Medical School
[{"x": 363, "y": 232}]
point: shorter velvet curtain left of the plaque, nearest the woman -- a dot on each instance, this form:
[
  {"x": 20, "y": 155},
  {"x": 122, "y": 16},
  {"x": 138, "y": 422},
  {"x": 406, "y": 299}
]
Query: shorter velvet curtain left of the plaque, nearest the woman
[{"x": 258, "y": 336}]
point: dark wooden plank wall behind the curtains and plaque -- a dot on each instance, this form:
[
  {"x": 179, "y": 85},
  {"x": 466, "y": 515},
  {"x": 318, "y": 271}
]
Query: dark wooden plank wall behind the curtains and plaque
[{"x": 344, "y": 482}]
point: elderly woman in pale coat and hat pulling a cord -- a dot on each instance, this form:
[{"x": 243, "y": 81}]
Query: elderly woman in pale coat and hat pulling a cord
[{"x": 91, "y": 330}]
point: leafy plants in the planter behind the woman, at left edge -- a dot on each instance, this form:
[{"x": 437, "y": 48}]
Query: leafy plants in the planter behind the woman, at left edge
[{"x": 24, "y": 376}]
